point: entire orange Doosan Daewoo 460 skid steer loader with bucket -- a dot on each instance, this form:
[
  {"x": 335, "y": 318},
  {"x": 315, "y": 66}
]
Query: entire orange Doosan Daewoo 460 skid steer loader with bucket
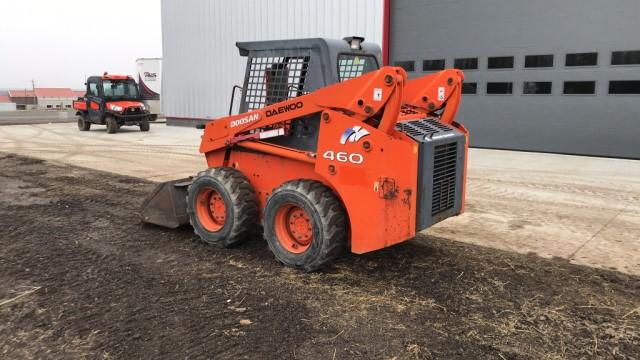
[{"x": 330, "y": 152}]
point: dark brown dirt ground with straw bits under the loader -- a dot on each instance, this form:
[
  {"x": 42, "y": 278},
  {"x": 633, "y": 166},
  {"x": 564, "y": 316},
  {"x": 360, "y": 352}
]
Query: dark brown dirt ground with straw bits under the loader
[{"x": 81, "y": 277}]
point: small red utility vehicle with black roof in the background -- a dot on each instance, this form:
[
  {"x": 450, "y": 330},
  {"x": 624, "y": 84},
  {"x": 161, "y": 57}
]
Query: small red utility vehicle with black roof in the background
[{"x": 112, "y": 100}]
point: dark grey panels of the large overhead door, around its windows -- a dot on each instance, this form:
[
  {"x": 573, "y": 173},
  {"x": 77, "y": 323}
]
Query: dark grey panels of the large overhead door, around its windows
[{"x": 600, "y": 124}]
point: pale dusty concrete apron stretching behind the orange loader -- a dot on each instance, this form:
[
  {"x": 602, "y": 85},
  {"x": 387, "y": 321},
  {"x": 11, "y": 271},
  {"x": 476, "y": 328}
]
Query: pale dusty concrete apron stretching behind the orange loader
[{"x": 585, "y": 210}]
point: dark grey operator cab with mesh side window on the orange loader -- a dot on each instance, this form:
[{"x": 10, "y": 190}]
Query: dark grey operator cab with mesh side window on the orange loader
[{"x": 283, "y": 69}]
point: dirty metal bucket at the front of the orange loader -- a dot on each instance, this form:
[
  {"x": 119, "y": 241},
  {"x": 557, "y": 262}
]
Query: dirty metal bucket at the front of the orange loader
[{"x": 167, "y": 204}]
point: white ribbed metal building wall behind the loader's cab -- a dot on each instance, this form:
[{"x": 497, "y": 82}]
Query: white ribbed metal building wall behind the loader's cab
[{"x": 201, "y": 63}]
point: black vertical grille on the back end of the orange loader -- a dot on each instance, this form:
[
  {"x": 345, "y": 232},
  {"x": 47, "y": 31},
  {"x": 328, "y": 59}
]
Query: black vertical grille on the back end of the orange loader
[{"x": 444, "y": 177}]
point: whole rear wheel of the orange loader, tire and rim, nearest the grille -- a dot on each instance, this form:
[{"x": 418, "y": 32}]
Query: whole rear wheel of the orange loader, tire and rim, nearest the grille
[{"x": 305, "y": 225}]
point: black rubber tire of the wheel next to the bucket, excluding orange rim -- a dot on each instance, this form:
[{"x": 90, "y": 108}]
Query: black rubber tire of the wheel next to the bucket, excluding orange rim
[{"x": 244, "y": 201}]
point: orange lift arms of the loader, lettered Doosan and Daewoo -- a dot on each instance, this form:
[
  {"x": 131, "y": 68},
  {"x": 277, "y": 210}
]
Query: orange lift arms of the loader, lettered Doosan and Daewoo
[{"x": 381, "y": 94}]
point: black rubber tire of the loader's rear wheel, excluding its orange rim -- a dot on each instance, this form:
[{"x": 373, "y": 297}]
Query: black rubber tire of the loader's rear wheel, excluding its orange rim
[{"x": 334, "y": 222}]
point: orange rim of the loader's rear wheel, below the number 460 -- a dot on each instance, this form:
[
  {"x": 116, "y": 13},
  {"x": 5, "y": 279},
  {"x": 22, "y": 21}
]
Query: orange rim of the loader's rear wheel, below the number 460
[{"x": 294, "y": 228}]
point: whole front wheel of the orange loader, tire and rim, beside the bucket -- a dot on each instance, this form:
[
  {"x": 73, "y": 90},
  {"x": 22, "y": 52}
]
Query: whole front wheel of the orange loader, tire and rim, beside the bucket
[{"x": 222, "y": 207}]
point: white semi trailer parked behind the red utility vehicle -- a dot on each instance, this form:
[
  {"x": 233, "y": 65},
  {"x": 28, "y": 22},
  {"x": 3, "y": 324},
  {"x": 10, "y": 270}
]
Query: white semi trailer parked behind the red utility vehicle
[{"x": 149, "y": 77}]
